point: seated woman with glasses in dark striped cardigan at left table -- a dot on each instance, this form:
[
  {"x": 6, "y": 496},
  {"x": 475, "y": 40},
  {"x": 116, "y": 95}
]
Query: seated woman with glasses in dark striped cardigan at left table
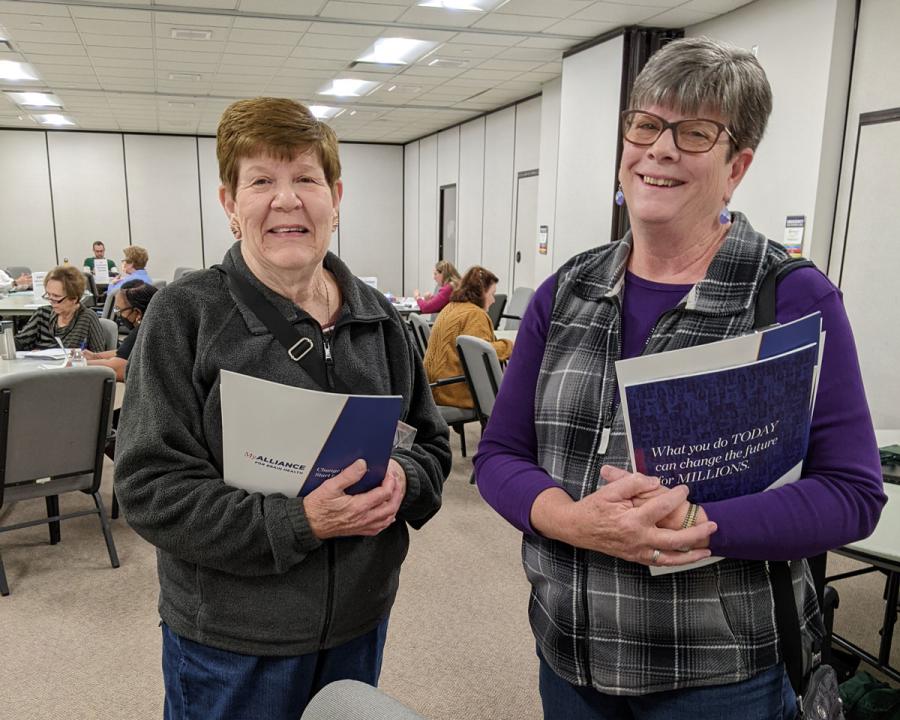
[{"x": 64, "y": 318}]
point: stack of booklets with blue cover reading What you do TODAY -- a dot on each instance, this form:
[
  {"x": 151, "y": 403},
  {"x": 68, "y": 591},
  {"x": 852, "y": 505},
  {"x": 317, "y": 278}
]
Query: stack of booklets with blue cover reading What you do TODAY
[{"x": 728, "y": 418}]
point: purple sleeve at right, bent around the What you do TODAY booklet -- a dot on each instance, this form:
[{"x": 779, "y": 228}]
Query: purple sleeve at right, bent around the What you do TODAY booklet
[{"x": 839, "y": 498}]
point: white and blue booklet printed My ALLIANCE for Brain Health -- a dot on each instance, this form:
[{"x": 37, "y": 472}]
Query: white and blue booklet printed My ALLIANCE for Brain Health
[{"x": 283, "y": 439}]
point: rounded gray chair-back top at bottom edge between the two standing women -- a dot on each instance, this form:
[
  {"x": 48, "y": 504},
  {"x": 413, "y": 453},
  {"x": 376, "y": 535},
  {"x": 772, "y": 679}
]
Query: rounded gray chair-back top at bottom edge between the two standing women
[{"x": 354, "y": 700}]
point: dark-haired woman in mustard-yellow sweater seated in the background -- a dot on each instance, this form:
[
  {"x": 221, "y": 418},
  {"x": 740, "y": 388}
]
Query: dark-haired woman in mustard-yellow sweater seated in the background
[{"x": 466, "y": 314}]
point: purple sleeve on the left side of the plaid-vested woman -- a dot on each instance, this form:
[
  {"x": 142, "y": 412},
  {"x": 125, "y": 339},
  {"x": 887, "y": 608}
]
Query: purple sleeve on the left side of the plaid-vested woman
[{"x": 506, "y": 468}]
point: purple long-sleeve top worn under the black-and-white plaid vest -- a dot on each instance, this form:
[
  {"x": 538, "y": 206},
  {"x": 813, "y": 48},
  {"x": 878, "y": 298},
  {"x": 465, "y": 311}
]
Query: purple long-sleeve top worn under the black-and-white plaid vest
[{"x": 838, "y": 499}]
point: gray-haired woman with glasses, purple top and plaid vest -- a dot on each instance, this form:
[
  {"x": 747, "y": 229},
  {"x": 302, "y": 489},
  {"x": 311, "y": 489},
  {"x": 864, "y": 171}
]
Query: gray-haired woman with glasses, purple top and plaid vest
[{"x": 614, "y": 641}]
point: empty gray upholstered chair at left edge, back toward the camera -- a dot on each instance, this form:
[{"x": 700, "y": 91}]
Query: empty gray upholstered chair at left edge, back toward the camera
[{"x": 73, "y": 408}]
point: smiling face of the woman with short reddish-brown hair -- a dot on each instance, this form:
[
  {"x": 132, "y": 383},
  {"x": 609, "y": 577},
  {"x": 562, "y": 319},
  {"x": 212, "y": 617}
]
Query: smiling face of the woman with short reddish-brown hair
[{"x": 286, "y": 212}]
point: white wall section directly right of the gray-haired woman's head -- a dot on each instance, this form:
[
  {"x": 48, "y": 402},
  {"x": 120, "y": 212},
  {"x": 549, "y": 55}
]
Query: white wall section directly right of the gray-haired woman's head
[{"x": 804, "y": 47}]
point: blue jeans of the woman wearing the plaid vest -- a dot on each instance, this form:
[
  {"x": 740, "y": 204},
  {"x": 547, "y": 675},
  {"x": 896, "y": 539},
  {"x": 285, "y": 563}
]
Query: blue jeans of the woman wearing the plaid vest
[{"x": 767, "y": 696}]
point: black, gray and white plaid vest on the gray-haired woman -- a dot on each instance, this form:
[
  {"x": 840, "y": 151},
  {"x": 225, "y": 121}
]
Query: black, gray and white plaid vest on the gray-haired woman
[{"x": 605, "y": 622}]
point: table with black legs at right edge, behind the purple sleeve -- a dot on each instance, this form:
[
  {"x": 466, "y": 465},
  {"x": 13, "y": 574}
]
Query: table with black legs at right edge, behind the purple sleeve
[{"x": 881, "y": 552}]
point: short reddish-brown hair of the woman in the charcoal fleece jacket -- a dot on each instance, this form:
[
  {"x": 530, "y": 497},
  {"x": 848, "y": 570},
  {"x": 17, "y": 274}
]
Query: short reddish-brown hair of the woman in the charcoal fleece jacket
[{"x": 278, "y": 127}]
